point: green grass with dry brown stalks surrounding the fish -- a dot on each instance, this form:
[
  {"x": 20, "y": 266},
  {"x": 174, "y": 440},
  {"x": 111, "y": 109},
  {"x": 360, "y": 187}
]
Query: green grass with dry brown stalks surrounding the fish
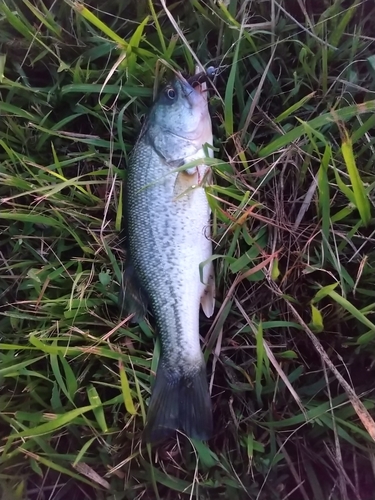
[{"x": 291, "y": 345}]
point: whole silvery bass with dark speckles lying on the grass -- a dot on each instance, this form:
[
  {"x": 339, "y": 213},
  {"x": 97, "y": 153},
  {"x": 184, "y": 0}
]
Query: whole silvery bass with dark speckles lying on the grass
[{"x": 168, "y": 249}]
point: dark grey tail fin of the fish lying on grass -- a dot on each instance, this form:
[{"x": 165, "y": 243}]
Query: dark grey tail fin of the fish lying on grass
[{"x": 179, "y": 401}]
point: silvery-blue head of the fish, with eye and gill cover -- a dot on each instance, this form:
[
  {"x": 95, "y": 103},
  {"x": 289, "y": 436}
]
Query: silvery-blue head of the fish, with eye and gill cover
[{"x": 180, "y": 122}]
